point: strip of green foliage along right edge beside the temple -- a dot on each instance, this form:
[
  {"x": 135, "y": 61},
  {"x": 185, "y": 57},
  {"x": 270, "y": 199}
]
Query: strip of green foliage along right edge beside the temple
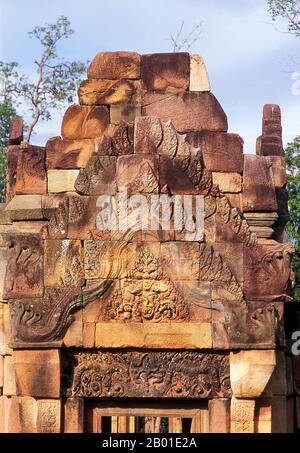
[{"x": 292, "y": 154}]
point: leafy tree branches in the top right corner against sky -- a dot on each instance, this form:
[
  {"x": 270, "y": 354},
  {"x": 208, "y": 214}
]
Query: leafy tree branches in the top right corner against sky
[{"x": 289, "y": 10}]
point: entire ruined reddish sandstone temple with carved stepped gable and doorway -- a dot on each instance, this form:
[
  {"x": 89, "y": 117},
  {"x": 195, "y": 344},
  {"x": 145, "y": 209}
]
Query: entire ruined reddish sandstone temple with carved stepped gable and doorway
[{"x": 144, "y": 267}]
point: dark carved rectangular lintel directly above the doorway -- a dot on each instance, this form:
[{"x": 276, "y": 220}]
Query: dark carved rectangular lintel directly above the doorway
[{"x": 150, "y": 374}]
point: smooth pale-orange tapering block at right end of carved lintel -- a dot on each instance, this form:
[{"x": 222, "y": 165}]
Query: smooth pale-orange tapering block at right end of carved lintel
[{"x": 250, "y": 372}]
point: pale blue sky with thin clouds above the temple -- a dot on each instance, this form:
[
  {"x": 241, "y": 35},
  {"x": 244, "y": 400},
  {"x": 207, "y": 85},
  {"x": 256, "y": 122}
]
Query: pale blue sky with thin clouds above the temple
[{"x": 248, "y": 60}]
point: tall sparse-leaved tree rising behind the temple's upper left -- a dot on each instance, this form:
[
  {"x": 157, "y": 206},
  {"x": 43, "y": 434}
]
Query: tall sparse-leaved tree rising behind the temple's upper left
[{"x": 56, "y": 81}]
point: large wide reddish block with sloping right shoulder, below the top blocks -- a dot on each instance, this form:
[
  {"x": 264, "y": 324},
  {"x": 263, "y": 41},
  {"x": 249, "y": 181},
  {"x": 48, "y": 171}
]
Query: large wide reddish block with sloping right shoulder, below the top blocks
[{"x": 188, "y": 111}]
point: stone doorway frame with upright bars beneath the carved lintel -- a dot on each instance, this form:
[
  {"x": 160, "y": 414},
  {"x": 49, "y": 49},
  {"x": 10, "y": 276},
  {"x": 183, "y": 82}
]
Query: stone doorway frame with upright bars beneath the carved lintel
[{"x": 146, "y": 417}]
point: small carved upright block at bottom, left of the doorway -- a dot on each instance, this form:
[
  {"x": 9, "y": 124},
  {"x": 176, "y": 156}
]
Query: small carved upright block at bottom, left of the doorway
[{"x": 49, "y": 416}]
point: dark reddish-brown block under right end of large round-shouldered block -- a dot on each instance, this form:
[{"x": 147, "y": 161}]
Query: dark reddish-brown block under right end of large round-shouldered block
[{"x": 221, "y": 152}]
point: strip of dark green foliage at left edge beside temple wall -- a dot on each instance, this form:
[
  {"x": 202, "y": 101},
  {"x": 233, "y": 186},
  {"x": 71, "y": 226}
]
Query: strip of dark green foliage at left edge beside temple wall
[{"x": 7, "y": 114}]
